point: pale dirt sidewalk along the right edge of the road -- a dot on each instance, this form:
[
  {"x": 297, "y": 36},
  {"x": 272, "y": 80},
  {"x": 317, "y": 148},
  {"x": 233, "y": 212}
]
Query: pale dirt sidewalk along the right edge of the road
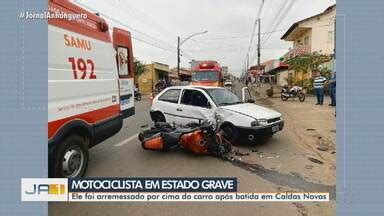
[{"x": 314, "y": 125}]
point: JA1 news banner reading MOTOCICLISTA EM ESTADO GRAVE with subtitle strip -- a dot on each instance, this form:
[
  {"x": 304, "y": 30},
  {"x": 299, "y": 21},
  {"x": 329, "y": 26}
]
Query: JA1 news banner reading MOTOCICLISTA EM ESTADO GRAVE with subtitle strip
[{"x": 151, "y": 190}]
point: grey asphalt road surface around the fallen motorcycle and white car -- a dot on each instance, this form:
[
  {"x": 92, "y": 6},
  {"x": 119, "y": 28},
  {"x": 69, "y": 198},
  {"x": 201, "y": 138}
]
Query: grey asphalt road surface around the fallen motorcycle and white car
[{"x": 281, "y": 158}]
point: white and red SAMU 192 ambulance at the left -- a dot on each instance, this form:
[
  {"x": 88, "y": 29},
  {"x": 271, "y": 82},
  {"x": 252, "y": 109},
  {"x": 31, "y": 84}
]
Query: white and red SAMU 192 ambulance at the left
[{"x": 90, "y": 86}]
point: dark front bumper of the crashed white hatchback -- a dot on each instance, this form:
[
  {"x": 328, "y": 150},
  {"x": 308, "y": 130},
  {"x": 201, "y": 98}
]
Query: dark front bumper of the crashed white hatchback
[{"x": 248, "y": 135}]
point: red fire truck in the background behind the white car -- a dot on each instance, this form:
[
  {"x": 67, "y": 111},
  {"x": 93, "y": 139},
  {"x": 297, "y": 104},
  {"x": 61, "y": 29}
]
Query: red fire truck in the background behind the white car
[{"x": 207, "y": 73}]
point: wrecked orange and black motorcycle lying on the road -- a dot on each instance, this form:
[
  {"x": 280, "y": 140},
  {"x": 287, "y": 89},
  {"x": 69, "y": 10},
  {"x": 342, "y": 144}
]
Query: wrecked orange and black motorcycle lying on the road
[{"x": 203, "y": 139}]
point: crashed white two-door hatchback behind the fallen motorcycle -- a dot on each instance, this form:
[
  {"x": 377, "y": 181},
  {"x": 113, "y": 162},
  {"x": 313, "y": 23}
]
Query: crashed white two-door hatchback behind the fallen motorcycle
[{"x": 245, "y": 121}]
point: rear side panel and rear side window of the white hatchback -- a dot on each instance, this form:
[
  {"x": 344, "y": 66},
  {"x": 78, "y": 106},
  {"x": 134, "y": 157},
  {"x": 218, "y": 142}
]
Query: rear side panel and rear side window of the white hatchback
[{"x": 167, "y": 103}]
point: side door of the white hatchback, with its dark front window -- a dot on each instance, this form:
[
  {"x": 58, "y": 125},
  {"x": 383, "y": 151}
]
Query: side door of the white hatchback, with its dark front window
[{"x": 194, "y": 106}]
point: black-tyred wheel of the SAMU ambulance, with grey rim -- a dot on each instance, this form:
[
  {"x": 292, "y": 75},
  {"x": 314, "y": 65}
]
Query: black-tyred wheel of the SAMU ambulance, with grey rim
[{"x": 72, "y": 157}]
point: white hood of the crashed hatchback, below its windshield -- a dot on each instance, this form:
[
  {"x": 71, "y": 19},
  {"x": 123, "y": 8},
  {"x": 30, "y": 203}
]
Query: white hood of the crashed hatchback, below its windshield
[{"x": 252, "y": 110}]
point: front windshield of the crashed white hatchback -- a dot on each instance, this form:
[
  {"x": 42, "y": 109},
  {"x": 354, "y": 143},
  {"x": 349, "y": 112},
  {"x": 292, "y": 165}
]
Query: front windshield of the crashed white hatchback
[{"x": 223, "y": 97}]
